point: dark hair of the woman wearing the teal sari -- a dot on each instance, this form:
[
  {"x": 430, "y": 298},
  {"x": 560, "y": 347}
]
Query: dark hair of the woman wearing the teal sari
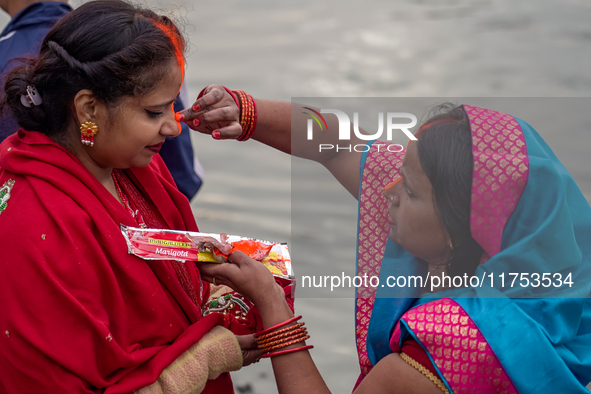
[{"x": 445, "y": 153}]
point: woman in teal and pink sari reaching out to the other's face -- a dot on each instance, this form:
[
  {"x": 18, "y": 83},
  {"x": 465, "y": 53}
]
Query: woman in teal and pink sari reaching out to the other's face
[{"x": 483, "y": 196}]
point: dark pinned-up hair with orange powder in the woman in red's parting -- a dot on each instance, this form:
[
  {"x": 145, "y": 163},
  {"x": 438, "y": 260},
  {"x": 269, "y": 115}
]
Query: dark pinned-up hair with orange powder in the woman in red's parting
[{"x": 110, "y": 47}]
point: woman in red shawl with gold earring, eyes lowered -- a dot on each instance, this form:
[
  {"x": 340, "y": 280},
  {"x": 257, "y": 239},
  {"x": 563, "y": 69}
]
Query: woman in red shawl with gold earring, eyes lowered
[{"x": 79, "y": 314}]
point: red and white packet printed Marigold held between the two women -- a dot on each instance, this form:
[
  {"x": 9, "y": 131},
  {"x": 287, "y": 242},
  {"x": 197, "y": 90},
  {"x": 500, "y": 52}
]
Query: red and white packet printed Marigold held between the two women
[{"x": 156, "y": 244}]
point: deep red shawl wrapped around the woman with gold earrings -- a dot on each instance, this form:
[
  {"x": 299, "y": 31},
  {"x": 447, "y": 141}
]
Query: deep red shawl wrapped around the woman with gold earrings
[{"x": 79, "y": 314}]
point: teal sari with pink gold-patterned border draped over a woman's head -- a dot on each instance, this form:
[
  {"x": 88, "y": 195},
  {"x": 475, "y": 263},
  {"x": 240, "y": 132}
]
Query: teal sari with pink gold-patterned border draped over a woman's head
[{"x": 529, "y": 217}]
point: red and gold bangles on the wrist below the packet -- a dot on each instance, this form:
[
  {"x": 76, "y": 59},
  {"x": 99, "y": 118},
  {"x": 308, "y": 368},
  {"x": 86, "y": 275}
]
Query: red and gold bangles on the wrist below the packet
[{"x": 275, "y": 337}]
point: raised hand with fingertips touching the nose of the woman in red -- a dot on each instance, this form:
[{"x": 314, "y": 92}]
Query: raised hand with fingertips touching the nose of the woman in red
[{"x": 214, "y": 113}]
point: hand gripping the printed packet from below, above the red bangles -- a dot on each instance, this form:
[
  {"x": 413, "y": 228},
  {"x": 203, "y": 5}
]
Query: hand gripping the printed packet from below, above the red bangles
[{"x": 245, "y": 275}]
